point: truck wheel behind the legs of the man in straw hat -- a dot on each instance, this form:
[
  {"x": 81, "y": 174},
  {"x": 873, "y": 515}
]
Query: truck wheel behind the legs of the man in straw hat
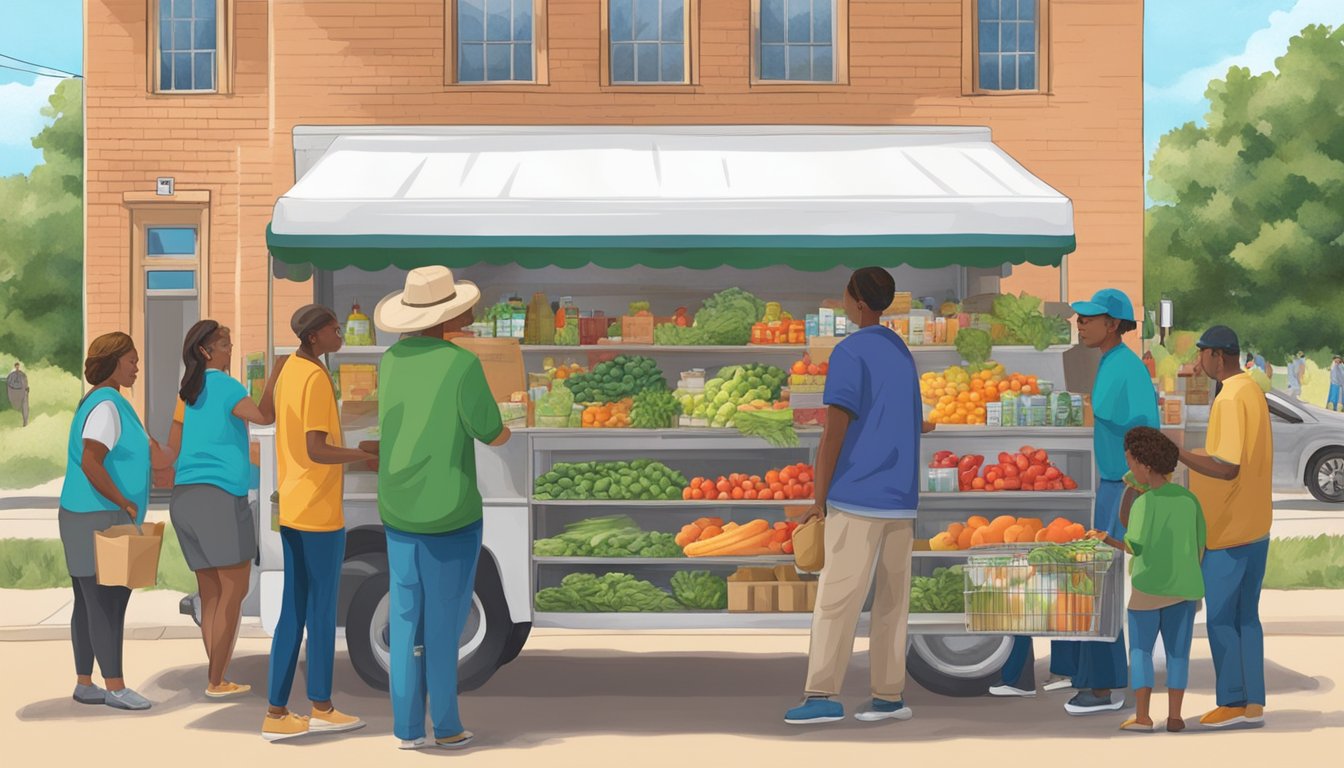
[{"x": 483, "y": 646}]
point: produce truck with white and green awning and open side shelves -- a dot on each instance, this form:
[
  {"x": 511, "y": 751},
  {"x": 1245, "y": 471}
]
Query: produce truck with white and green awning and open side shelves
[{"x": 671, "y": 216}]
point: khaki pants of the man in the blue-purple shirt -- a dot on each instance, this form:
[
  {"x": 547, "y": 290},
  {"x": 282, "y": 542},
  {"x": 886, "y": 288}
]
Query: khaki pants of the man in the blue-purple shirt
[{"x": 854, "y": 547}]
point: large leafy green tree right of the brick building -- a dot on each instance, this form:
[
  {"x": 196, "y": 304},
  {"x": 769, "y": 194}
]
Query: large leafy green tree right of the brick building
[{"x": 1248, "y": 229}]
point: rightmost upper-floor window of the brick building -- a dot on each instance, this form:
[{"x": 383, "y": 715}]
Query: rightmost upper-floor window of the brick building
[{"x": 1010, "y": 45}]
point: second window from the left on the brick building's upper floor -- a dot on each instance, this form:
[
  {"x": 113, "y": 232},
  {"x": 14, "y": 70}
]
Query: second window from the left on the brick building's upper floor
[{"x": 497, "y": 41}]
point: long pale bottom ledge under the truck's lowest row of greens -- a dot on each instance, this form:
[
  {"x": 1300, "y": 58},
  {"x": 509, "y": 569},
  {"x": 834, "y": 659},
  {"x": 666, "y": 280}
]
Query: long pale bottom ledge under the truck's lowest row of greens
[{"x": 928, "y": 623}]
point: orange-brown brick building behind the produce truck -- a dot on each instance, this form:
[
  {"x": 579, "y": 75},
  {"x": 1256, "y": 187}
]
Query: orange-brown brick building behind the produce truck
[{"x": 209, "y": 93}]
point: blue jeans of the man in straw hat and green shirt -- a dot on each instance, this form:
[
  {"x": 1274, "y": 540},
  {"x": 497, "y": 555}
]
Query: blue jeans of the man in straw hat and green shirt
[{"x": 432, "y": 582}]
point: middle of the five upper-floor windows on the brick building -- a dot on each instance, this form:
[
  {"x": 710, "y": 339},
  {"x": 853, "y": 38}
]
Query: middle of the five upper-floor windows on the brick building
[{"x": 648, "y": 41}]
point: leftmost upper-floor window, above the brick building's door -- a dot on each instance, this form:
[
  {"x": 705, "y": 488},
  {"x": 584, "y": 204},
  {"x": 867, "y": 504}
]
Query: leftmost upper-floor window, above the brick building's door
[{"x": 190, "y": 52}]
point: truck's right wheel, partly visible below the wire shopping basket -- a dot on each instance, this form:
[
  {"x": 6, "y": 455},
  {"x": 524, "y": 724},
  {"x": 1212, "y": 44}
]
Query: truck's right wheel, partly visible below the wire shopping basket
[{"x": 958, "y": 665}]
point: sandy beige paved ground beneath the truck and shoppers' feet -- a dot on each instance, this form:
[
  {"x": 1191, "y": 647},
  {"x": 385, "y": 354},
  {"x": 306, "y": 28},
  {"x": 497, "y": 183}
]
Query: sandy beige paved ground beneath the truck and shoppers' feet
[{"x": 653, "y": 700}]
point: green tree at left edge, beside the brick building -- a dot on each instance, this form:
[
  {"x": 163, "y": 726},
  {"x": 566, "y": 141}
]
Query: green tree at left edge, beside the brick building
[{"x": 42, "y": 243}]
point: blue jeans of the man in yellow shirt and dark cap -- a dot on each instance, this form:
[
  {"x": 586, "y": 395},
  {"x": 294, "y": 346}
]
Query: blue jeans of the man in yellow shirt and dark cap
[{"x": 1233, "y": 582}]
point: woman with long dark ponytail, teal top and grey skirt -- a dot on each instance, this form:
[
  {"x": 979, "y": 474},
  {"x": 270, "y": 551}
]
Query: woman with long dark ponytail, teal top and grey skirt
[{"x": 209, "y": 509}]
